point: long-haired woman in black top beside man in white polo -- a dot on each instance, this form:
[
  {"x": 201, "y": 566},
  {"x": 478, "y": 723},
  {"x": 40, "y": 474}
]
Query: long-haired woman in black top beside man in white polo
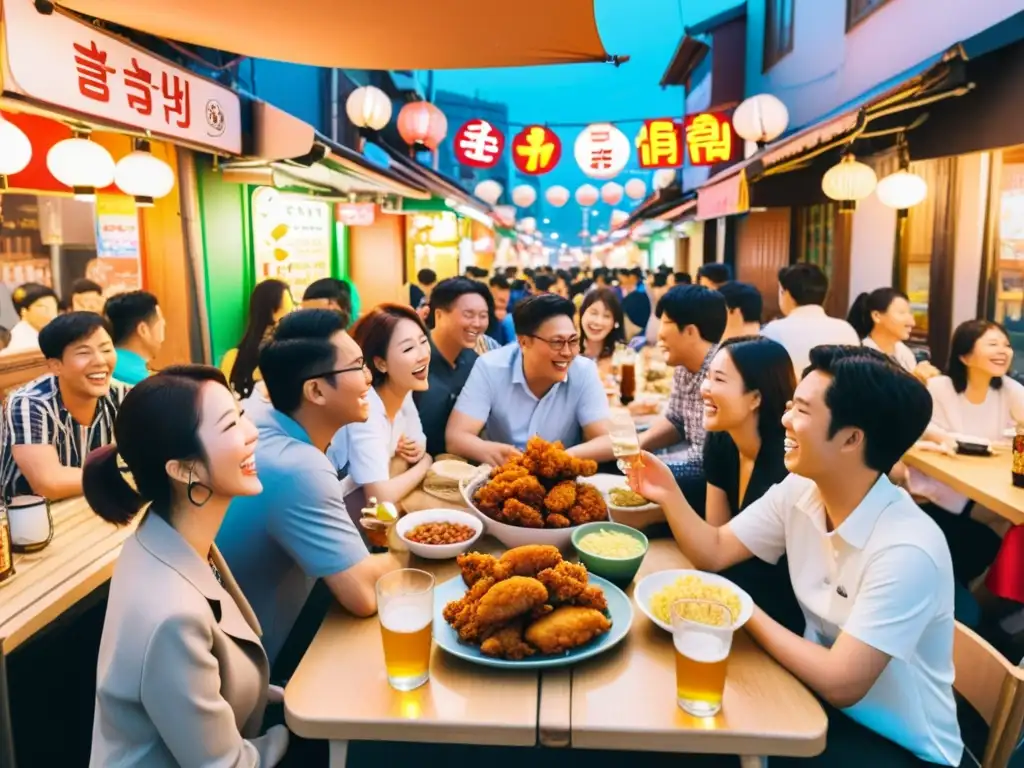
[{"x": 750, "y": 382}]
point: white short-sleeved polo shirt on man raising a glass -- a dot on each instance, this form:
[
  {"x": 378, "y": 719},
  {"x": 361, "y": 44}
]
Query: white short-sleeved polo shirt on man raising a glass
[{"x": 884, "y": 577}]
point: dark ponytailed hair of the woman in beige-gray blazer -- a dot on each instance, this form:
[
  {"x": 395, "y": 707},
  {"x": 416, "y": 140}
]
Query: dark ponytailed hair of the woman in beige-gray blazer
[{"x": 158, "y": 422}]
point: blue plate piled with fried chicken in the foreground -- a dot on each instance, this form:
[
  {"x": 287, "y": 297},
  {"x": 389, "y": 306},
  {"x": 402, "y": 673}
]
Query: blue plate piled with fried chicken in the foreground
[{"x": 528, "y": 609}]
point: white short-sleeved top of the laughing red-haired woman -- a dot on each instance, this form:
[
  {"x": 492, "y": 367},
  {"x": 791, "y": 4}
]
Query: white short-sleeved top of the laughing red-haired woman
[{"x": 365, "y": 449}]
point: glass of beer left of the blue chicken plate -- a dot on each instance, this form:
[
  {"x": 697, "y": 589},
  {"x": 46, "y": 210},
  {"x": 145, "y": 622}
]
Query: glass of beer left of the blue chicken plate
[{"x": 406, "y": 610}]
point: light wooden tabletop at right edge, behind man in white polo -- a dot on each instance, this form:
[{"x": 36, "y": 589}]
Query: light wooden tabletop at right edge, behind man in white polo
[{"x": 985, "y": 480}]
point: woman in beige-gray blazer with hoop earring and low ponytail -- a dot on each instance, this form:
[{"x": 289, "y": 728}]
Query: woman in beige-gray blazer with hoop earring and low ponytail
[{"x": 183, "y": 677}]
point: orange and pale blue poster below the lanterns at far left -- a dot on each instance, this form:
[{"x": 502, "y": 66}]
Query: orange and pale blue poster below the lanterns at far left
[{"x": 118, "y": 265}]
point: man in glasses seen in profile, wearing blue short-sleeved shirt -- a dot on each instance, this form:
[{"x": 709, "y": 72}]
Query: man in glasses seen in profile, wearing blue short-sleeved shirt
[{"x": 298, "y": 530}]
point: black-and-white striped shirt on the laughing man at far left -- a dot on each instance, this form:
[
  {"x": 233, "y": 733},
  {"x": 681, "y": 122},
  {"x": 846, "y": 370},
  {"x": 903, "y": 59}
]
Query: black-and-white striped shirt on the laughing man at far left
[{"x": 35, "y": 415}]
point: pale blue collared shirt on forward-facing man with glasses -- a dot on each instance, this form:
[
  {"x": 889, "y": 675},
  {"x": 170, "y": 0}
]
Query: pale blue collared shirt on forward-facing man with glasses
[{"x": 498, "y": 396}]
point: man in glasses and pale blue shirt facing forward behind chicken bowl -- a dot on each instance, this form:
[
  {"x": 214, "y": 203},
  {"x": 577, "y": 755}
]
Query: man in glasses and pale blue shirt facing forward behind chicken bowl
[{"x": 541, "y": 387}]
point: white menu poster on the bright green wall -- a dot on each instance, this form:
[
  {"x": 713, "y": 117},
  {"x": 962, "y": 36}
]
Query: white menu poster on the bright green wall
[{"x": 292, "y": 239}]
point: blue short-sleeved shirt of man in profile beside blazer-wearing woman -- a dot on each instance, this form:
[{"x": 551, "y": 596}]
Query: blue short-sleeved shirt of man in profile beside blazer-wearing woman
[{"x": 278, "y": 543}]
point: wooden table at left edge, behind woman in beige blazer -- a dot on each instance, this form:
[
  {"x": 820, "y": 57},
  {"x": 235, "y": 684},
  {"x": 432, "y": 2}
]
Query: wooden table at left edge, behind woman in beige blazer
[{"x": 49, "y": 583}]
